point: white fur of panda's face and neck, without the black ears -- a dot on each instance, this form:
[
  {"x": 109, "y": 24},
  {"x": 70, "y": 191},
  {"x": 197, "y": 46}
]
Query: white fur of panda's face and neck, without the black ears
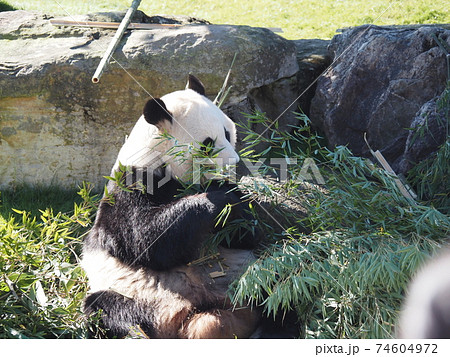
[{"x": 194, "y": 118}]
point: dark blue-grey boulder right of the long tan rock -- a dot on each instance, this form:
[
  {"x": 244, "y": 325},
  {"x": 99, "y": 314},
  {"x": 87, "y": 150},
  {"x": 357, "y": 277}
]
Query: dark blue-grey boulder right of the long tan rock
[{"x": 380, "y": 78}]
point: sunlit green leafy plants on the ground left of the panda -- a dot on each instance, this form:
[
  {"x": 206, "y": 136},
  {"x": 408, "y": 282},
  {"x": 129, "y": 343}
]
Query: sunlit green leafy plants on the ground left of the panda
[{"x": 41, "y": 283}]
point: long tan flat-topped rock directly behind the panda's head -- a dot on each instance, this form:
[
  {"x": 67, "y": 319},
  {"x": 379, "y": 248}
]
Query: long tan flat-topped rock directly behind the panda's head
[{"x": 58, "y": 127}]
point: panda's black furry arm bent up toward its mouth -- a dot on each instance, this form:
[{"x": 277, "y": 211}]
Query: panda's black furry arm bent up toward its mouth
[{"x": 159, "y": 237}]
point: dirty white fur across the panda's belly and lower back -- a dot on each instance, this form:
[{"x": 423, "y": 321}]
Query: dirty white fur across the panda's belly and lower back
[{"x": 170, "y": 293}]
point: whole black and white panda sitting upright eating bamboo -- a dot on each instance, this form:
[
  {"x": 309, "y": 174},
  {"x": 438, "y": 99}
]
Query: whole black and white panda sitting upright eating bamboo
[{"x": 138, "y": 252}]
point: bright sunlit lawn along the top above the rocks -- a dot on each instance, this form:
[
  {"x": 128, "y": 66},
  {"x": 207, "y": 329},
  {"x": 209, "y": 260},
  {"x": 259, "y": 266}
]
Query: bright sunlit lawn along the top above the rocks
[{"x": 298, "y": 19}]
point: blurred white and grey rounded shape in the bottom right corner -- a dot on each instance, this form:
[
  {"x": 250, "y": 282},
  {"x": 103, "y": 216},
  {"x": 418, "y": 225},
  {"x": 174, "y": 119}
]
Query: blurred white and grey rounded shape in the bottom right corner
[{"x": 426, "y": 310}]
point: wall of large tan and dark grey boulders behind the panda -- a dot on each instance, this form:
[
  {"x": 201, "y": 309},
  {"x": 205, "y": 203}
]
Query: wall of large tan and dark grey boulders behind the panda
[{"x": 58, "y": 128}]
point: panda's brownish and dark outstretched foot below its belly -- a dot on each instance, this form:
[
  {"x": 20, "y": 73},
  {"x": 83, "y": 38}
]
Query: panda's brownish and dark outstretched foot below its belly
[{"x": 219, "y": 323}]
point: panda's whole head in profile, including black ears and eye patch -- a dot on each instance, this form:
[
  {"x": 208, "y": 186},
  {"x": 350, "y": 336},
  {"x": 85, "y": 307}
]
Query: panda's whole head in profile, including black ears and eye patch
[{"x": 176, "y": 123}]
